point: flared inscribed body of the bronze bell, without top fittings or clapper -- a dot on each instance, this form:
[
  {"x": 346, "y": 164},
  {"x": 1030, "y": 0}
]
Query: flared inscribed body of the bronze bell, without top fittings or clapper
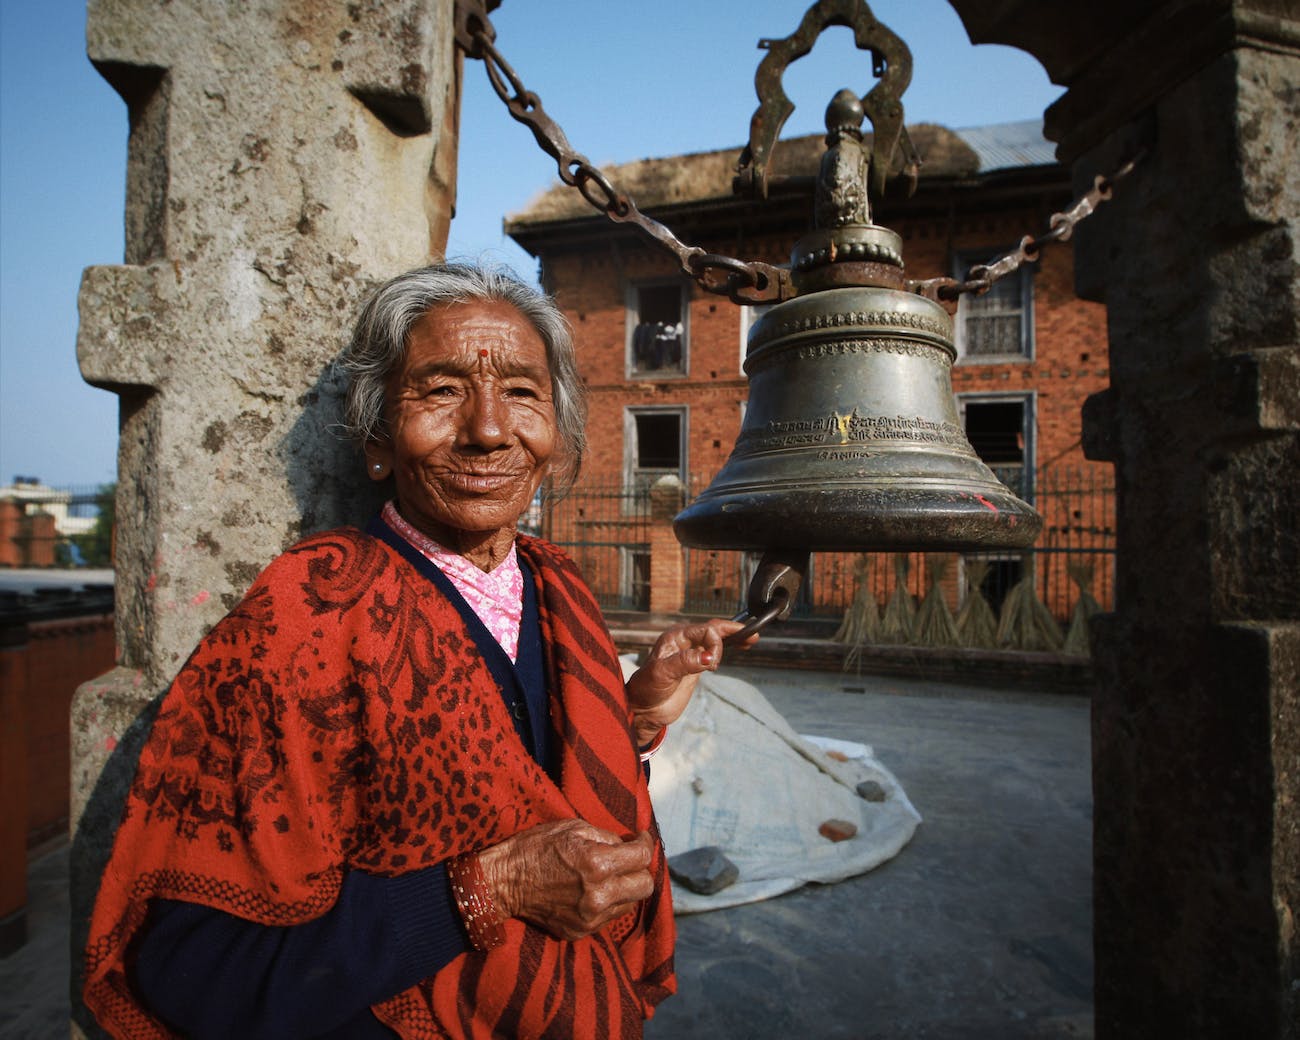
[{"x": 852, "y": 440}]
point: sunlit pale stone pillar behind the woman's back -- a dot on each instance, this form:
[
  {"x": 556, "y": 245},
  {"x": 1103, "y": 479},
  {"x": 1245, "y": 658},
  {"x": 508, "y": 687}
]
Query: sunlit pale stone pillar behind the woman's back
[{"x": 284, "y": 158}]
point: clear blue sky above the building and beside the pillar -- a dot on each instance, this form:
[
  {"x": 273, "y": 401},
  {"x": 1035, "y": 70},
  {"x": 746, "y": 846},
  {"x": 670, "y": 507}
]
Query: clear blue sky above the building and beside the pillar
[{"x": 625, "y": 79}]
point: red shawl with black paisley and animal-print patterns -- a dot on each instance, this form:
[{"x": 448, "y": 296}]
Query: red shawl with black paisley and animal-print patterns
[{"x": 343, "y": 718}]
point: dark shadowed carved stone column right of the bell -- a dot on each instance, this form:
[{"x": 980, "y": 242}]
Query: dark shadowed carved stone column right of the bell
[{"x": 1197, "y": 721}]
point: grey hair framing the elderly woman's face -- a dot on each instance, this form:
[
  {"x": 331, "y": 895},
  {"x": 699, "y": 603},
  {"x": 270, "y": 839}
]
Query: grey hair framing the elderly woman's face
[{"x": 380, "y": 344}]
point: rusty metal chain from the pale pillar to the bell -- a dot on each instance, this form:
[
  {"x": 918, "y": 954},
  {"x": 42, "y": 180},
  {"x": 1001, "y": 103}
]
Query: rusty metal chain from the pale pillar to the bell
[{"x": 743, "y": 281}]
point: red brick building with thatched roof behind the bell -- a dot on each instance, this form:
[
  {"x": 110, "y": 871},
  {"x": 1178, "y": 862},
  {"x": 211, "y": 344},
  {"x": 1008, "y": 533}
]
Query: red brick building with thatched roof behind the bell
[{"x": 664, "y": 361}]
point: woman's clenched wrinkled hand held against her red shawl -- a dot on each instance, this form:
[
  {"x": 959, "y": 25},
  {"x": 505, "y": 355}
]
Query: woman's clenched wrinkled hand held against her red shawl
[{"x": 569, "y": 877}]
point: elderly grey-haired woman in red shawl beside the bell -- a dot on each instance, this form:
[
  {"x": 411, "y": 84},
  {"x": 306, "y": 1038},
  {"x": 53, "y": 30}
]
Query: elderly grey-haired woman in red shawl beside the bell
[{"x": 401, "y": 790}]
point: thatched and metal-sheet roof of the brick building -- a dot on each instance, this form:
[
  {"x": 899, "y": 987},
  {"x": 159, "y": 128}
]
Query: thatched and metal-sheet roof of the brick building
[{"x": 705, "y": 176}]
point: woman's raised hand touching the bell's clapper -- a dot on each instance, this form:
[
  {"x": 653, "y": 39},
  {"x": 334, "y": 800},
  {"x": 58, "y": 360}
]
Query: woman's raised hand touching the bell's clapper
[{"x": 661, "y": 690}]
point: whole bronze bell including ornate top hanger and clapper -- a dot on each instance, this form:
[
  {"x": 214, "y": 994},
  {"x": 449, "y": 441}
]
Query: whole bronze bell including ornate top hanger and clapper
[{"x": 852, "y": 439}]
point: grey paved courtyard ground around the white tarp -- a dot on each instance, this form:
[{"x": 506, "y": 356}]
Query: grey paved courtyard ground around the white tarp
[{"x": 980, "y": 930}]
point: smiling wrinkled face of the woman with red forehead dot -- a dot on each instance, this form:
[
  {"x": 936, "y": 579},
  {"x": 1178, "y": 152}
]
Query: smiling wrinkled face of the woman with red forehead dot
[{"x": 471, "y": 422}]
